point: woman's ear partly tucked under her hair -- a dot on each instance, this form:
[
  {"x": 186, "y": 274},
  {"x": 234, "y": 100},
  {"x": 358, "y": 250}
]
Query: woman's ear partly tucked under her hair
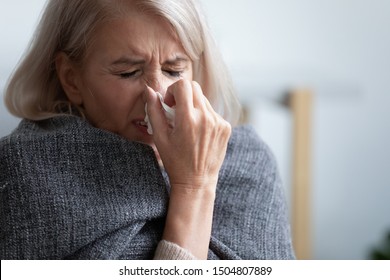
[{"x": 69, "y": 78}]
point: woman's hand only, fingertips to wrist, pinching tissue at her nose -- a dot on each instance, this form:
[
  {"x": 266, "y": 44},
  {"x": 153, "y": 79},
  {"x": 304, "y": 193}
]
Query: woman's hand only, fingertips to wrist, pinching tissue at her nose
[{"x": 194, "y": 149}]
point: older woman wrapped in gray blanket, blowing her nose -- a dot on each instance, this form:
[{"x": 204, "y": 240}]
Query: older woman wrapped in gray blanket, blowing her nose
[{"x": 82, "y": 177}]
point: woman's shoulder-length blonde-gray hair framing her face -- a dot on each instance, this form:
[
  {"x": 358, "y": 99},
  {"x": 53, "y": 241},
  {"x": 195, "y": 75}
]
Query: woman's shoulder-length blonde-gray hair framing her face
[{"x": 35, "y": 92}]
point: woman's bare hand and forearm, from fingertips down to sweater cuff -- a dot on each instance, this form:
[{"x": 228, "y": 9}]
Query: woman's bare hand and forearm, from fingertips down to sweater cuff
[{"x": 192, "y": 152}]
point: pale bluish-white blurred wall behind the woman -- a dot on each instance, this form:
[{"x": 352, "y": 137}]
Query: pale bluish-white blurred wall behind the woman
[{"x": 339, "y": 49}]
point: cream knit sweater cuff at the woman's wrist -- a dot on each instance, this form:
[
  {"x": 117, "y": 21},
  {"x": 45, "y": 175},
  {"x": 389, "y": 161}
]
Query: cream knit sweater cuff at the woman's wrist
[{"x": 170, "y": 251}]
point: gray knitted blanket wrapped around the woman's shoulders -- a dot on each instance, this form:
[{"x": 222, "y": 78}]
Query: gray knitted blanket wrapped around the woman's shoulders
[{"x": 72, "y": 191}]
